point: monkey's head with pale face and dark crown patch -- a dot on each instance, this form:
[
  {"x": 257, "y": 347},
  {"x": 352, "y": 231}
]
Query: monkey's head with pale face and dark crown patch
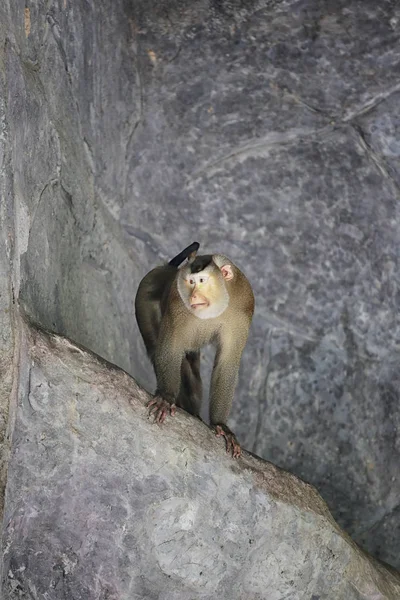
[{"x": 202, "y": 285}]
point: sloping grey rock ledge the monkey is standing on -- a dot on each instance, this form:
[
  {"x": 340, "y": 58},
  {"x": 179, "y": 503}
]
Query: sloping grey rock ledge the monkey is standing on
[{"x": 104, "y": 504}]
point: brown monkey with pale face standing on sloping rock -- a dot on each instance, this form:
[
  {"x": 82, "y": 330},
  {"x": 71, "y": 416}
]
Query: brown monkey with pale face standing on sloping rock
[{"x": 180, "y": 310}]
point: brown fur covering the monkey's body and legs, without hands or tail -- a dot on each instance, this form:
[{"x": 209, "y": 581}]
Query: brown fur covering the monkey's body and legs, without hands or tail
[{"x": 174, "y": 336}]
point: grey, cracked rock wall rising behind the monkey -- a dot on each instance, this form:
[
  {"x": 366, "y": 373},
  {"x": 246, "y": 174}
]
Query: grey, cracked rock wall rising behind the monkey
[{"x": 266, "y": 130}]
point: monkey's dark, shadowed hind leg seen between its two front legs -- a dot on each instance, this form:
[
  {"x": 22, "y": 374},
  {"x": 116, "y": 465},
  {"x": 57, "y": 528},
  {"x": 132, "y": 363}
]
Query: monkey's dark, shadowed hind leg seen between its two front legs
[{"x": 191, "y": 390}]
